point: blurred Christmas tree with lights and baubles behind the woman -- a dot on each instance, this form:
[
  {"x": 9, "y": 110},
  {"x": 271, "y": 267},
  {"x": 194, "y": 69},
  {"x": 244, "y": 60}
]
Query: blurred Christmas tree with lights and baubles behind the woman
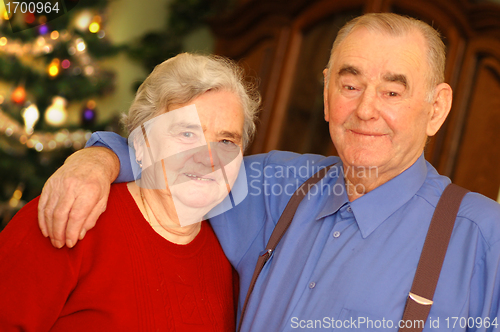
[{"x": 47, "y": 64}]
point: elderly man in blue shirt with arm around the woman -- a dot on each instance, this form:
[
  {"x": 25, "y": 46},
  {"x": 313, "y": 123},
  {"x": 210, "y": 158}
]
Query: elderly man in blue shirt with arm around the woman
[{"x": 350, "y": 254}]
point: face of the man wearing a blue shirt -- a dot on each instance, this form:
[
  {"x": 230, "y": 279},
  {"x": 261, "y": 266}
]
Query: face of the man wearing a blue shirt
[{"x": 376, "y": 100}]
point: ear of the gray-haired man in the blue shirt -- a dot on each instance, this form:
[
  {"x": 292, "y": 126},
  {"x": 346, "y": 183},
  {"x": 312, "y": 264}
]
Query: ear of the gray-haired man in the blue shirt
[{"x": 441, "y": 107}]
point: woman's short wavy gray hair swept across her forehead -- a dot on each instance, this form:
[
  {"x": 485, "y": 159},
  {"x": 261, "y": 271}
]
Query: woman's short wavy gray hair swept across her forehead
[{"x": 186, "y": 76}]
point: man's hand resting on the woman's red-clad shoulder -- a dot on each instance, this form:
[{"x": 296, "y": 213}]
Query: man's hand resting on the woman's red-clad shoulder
[{"x": 76, "y": 195}]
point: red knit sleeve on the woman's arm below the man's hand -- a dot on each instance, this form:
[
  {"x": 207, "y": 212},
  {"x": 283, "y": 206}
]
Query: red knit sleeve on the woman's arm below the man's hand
[{"x": 35, "y": 278}]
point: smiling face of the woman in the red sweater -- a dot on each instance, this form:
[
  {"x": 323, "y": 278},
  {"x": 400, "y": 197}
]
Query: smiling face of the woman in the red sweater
[{"x": 196, "y": 150}]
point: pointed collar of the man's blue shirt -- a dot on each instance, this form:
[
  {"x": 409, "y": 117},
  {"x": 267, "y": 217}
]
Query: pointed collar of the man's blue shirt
[{"x": 371, "y": 209}]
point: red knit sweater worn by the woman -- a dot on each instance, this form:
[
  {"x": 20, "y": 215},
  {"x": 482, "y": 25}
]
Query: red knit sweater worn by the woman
[{"x": 122, "y": 277}]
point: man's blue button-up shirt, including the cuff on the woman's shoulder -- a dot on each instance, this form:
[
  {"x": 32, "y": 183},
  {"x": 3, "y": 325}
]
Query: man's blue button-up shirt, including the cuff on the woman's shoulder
[{"x": 350, "y": 265}]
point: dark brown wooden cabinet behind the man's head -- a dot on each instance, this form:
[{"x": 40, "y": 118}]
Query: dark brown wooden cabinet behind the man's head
[{"x": 286, "y": 44}]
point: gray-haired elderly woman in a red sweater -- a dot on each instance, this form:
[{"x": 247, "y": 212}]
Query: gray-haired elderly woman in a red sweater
[{"x": 152, "y": 264}]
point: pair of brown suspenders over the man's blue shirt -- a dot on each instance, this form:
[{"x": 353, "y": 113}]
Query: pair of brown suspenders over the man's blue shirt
[{"x": 431, "y": 260}]
